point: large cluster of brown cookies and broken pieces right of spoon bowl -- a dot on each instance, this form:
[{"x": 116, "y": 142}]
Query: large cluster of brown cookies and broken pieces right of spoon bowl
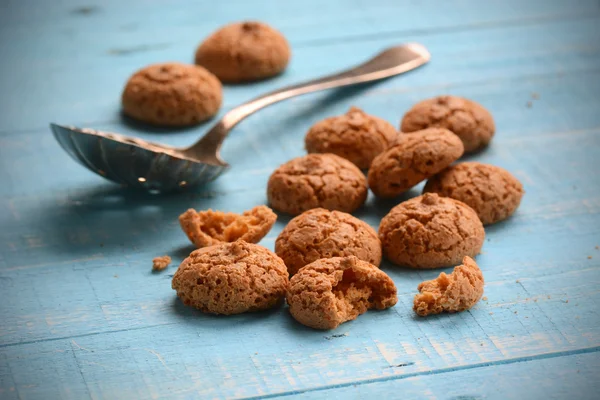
[{"x": 333, "y": 257}]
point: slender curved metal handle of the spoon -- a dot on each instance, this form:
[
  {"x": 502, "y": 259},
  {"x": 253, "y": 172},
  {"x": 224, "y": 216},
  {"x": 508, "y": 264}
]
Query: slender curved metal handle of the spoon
[{"x": 390, "y": 62}]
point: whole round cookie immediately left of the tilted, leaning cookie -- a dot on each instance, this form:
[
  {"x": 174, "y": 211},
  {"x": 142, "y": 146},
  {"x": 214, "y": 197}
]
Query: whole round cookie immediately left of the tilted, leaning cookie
[{"x": 317, "y": 180}]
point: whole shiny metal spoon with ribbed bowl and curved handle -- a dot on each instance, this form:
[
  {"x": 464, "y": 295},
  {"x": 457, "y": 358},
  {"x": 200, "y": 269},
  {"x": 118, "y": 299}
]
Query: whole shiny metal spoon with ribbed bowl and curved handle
[{"x": 160, "y": 168}]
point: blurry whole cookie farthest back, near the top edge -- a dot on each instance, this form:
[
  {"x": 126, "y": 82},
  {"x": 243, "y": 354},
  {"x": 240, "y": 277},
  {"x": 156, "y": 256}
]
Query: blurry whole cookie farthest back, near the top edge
[{"x": 244, "y": 51}]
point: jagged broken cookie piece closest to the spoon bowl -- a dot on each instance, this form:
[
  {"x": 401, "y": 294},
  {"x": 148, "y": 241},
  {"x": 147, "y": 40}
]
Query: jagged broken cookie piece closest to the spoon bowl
[{"x": 207, "y": 228}]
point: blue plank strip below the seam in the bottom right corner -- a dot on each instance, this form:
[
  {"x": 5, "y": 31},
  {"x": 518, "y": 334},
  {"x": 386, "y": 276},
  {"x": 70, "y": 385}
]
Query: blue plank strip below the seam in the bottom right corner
[{"x": 536, "y": 378}]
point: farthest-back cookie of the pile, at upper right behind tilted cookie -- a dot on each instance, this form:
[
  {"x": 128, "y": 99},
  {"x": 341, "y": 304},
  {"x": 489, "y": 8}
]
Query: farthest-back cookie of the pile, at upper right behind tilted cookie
[{"x": 470, "y": 121}]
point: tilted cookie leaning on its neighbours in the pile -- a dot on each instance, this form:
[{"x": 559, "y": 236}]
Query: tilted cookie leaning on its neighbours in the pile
[{"x": 412, "y": 159}]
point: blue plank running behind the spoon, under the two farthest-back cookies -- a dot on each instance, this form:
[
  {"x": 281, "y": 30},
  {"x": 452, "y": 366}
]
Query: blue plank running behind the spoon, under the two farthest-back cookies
[{"x": 51, "y": 87}]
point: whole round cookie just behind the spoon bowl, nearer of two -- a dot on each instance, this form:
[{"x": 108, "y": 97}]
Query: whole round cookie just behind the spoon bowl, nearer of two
[{"x": 172, "y": 94}]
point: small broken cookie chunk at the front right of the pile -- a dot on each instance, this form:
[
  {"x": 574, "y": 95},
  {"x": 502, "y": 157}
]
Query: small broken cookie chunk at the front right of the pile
[{"x": 456, "y": 292}]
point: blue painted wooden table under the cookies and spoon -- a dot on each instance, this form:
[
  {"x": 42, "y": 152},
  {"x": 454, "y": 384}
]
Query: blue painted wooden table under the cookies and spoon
[{"x": 81, "y": 313}]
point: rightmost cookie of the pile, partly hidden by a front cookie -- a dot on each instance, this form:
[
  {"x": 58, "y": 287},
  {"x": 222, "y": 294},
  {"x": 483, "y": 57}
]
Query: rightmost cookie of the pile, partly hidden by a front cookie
[{"x": 493, "y": 192}]
